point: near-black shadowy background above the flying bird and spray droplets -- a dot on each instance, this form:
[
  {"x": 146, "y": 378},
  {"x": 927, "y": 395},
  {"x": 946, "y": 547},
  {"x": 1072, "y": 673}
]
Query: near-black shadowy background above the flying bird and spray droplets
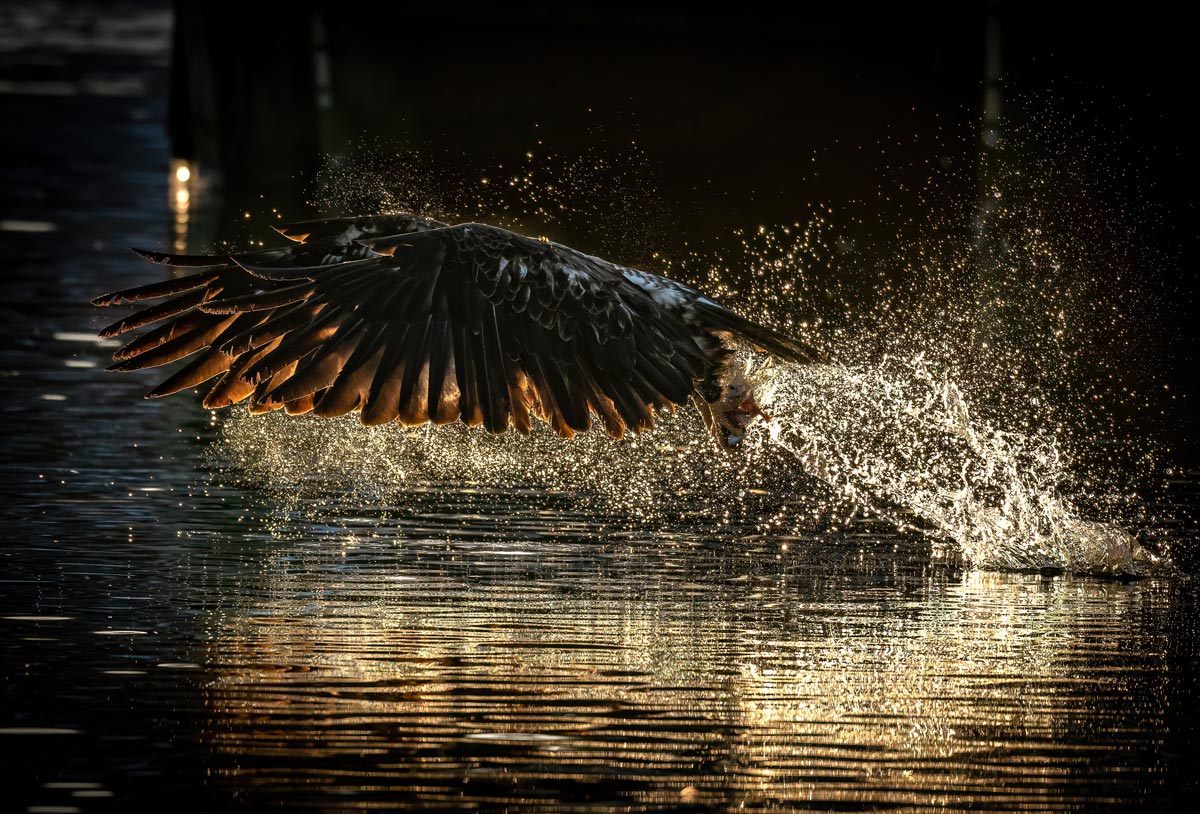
[{"x": 698, "y": 125}]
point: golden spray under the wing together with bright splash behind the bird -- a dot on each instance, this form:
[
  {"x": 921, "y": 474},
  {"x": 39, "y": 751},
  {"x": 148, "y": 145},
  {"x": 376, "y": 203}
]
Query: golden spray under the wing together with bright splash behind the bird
[{"x": 897, "y": 439}]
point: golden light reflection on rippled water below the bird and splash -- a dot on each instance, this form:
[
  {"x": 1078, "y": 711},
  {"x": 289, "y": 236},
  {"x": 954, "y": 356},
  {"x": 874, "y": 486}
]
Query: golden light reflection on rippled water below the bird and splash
[{"x": 436, "y": 671}]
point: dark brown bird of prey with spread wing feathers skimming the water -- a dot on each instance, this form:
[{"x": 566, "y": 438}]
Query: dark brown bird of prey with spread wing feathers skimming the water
[{"x": 404, "y": 319}]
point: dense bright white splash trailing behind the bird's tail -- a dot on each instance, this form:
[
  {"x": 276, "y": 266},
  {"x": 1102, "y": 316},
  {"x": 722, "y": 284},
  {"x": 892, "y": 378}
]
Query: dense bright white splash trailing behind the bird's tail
[{"x": 901, "y": 438}]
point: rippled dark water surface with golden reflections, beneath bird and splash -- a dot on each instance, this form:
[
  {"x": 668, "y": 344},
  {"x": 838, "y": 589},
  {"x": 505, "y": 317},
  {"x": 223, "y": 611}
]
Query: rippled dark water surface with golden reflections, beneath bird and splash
[{"x": 176, "y": 637}]
